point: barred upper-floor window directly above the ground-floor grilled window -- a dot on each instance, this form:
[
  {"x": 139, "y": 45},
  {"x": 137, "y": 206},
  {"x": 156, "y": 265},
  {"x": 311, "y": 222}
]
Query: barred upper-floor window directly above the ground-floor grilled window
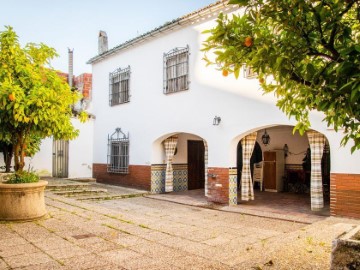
[{"x": 119, "y": 86}]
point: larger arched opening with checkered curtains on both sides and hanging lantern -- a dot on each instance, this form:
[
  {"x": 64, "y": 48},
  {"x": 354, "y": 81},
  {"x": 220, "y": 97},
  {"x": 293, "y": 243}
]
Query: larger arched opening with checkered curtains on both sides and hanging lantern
[{"x": 294, "y": 183}]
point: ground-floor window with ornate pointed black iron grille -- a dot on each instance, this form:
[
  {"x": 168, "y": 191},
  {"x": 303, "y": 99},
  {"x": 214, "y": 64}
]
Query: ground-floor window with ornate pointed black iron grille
[{"x": 118, "y": 152}]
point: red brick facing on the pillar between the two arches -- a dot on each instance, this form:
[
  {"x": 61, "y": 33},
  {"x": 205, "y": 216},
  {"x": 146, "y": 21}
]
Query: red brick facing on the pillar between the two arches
[{"x": 218, "y": 187}]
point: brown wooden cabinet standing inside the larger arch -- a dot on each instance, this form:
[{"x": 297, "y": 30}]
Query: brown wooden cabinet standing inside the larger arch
[{"x": 274, "y": 164}]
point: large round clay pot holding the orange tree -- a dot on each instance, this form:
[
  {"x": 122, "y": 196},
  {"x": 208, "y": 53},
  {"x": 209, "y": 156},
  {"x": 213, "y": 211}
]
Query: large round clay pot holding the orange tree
[{"x": 22, "y": 202}]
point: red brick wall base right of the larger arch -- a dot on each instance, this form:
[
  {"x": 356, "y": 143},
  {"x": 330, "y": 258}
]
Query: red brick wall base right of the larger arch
[{"x": 345, "y": 195}]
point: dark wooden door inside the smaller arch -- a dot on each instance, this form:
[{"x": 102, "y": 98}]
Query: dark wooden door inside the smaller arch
[{"x": 196, "y": 165}]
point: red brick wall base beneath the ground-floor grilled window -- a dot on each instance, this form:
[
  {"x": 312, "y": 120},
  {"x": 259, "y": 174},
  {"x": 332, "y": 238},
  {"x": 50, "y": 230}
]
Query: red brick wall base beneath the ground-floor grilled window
[{"x": 139, "y": 176}]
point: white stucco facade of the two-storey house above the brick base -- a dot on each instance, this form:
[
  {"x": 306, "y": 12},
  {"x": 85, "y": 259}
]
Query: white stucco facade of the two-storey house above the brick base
[{"x": 151, "y": 115}]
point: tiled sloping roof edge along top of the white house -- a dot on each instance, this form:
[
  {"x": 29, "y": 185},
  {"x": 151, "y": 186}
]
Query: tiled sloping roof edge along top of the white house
[{"x": 183, "y": 20}]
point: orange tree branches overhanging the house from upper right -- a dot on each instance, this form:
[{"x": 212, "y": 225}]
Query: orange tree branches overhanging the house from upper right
[{"x": 309, "y": 49}]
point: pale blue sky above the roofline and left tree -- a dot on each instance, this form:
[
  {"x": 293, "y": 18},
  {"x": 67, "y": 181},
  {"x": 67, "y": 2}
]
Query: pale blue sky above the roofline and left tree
[{"x": 75, "y": 24}]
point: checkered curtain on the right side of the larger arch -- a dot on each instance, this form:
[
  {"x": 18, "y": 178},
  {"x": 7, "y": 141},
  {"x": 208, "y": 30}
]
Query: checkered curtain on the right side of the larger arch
[{"x": 317, "y": 142}]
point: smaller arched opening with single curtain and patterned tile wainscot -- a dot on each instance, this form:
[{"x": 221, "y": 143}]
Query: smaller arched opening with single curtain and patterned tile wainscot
[{"x": 184, "y": 167}]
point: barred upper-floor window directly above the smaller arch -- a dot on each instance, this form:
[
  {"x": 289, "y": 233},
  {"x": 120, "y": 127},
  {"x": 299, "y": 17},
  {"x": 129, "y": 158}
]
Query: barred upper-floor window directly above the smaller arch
[{"x": 176, "y": 70}]
